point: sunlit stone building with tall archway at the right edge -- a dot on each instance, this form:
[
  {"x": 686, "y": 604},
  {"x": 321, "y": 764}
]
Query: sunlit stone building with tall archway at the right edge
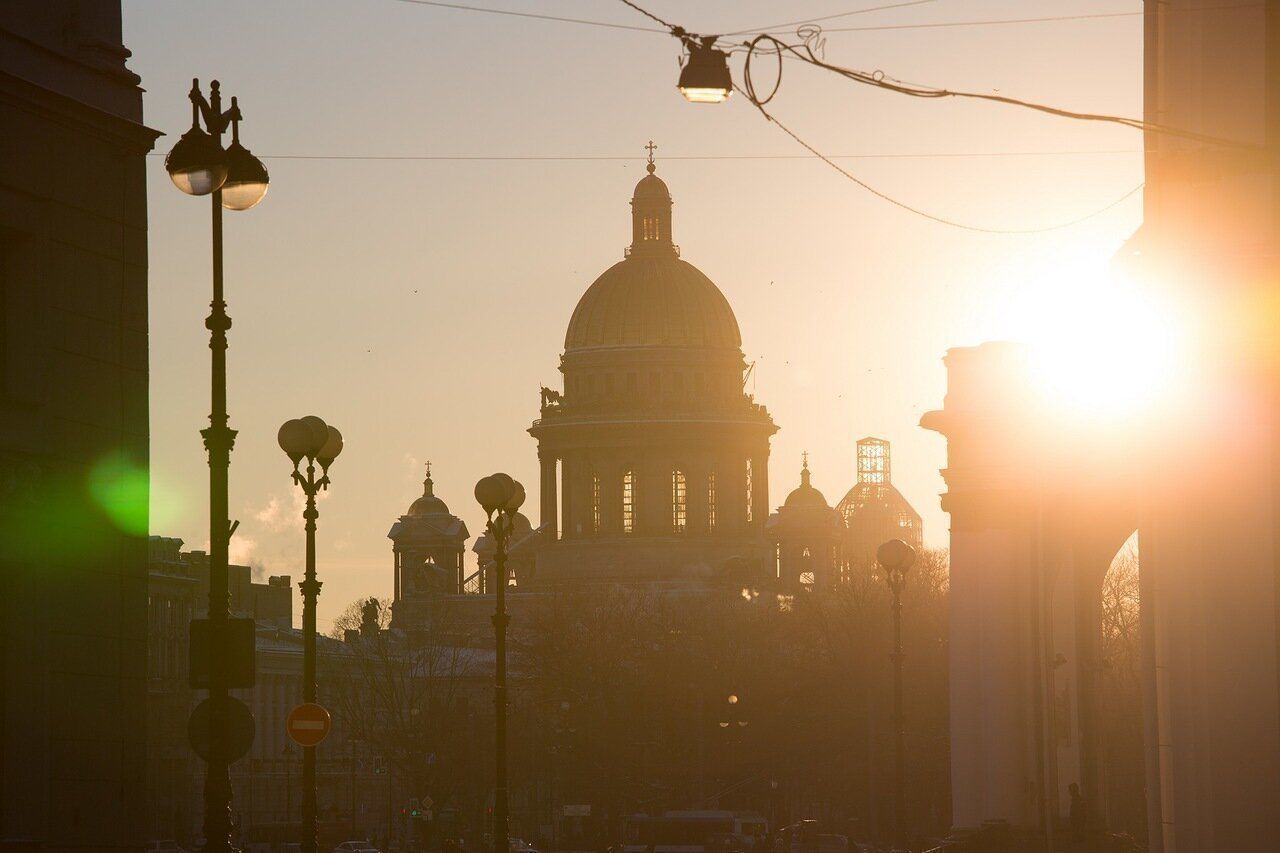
[{"x": 1040, "y": 508}]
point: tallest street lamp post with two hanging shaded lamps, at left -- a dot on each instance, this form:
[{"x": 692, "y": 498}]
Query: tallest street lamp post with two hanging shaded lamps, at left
[{"x": 199, "y": 166}]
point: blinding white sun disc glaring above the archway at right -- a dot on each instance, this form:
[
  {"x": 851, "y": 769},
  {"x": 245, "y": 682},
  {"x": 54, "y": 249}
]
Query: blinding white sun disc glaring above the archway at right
[{"x": 1100, "y": 344}]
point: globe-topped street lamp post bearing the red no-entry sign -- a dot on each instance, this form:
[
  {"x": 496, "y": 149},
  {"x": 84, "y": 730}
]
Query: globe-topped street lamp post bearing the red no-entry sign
[{"x": 318, "y": 443}]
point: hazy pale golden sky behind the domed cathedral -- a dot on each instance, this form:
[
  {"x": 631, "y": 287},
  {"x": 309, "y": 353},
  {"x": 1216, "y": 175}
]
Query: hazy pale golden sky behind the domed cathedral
[{"x": 420, "y": 305}]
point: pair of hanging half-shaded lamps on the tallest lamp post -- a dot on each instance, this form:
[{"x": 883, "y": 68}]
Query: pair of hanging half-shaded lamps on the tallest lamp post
[{"x": 199, "y": 166}]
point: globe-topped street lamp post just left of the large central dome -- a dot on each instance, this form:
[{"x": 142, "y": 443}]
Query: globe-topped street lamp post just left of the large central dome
[{"x": 501, "y": 498}]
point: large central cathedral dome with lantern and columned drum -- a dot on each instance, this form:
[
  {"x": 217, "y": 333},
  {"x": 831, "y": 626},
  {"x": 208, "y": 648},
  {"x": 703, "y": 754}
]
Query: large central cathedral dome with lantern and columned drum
[{"x": 655, "y": 463}]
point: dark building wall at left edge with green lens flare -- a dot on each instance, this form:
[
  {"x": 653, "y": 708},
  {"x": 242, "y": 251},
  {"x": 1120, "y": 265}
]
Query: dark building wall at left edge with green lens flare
[{"x": 74, "y": 430}]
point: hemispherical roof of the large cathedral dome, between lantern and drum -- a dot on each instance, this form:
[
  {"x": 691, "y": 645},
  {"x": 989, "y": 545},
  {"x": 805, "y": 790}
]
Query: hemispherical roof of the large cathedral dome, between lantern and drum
[{"x": 653, "y": 300}]
